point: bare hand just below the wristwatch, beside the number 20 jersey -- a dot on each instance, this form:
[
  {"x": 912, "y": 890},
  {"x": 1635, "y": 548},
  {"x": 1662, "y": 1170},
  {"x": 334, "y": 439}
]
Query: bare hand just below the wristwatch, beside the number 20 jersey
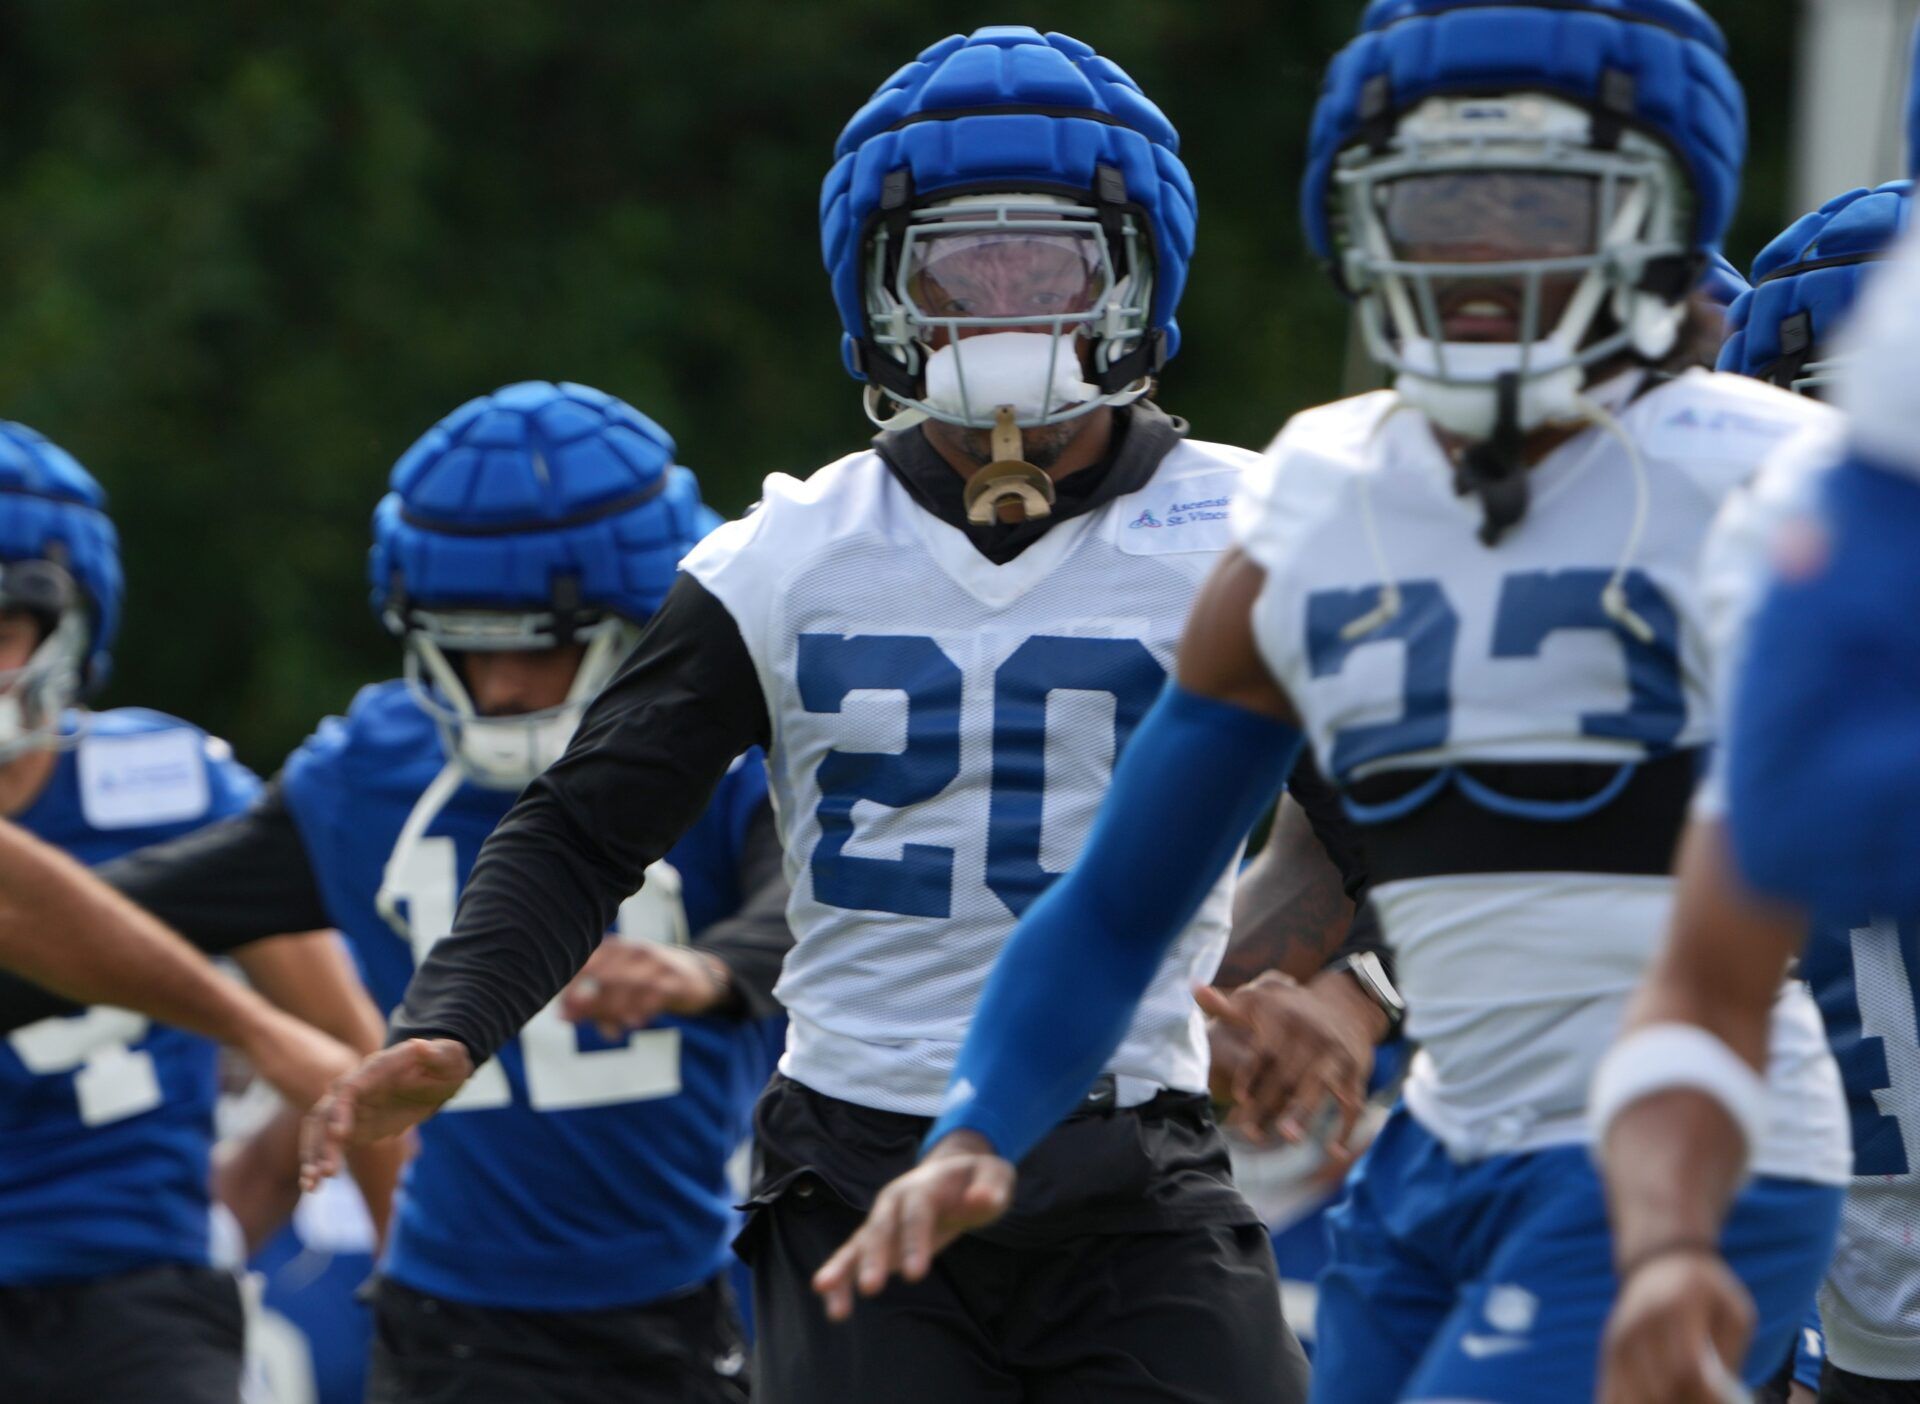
[{"x": 1284, "y": 1052}]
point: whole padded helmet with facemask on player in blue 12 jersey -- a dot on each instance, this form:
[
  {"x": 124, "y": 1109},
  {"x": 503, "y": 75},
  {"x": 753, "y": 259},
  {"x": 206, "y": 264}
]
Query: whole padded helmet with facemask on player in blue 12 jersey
[{"x": 527, "y": 520}]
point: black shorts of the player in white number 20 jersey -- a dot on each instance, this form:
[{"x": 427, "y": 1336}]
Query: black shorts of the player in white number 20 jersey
[{"x": 1130, "y": 1271}]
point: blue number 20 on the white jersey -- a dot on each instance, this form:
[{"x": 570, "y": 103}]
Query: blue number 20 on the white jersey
[{"x": 921, "y": 881}]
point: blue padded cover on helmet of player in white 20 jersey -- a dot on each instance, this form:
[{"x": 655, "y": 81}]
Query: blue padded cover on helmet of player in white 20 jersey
[{"x": 1007, "y": 109}]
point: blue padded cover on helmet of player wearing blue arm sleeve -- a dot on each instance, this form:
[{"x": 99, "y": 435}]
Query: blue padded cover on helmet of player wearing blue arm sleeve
[{"x": 1666, "y": 59}]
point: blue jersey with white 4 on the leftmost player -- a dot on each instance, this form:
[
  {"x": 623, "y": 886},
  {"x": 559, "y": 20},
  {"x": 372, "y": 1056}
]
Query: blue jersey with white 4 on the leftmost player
[{"x": 107, "y": 1121}]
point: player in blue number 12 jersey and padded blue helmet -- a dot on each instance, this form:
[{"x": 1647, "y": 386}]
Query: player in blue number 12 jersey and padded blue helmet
[{"x": 564, "y": 1232}]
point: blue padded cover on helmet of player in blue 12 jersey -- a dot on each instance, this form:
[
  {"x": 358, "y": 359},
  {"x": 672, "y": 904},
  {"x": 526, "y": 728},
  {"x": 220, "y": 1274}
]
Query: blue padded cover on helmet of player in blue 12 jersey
[{"x": 531, "y": 487}]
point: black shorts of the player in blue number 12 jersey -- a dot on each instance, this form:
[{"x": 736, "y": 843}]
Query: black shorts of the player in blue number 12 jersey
[{"x": 431, "y": 1351}]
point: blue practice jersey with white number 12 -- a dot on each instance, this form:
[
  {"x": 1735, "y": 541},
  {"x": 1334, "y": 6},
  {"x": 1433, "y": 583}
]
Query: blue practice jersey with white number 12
[{"x": 573, "y": 1173}]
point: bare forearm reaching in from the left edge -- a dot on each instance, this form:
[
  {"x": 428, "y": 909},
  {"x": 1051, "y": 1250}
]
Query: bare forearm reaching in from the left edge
[{"x": 66, "y": 931}]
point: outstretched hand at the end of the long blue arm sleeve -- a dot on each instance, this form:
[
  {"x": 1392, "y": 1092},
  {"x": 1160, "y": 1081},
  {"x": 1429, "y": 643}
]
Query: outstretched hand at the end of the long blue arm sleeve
[{"x": 961, "y": 1186}]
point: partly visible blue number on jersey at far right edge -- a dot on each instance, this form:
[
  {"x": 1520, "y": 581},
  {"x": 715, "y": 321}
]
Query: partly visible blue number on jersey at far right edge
[{"x": 1863, "y": 979}]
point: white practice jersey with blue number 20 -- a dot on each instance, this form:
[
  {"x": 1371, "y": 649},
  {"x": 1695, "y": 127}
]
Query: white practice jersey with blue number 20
[{"x": 944, "y": 737}]
